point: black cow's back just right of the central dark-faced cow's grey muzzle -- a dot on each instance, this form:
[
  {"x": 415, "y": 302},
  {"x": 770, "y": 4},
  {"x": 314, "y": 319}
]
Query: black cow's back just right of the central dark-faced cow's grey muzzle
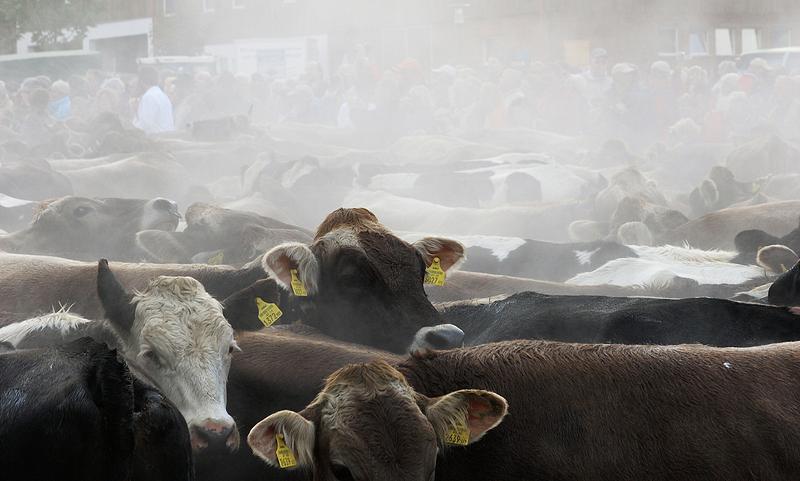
[{"x": 622, "y": 320}]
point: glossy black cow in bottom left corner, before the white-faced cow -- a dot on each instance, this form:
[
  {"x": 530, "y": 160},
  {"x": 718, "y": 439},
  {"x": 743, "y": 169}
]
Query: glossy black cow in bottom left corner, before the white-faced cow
[{"x": 76, "y": 413}]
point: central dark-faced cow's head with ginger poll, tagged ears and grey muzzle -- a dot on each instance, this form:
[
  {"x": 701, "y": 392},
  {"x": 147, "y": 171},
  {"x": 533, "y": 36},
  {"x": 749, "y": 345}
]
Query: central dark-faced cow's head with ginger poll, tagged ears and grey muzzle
[{"x": 364, "y": 284}]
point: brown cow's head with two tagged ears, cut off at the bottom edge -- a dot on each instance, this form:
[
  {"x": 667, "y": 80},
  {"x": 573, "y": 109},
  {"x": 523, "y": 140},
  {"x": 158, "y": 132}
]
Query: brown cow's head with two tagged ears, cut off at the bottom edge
[{"x": 369, "y": 424}]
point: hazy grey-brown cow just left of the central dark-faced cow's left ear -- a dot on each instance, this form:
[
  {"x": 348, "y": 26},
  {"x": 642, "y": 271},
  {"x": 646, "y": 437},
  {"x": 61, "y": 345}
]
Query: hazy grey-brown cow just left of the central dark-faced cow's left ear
[{"x": 233, "y": 237}]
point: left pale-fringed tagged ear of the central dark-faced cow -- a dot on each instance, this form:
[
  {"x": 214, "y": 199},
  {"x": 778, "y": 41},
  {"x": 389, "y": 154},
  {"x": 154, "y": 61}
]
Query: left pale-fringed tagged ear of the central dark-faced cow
[{"x": 282, "y": 259}]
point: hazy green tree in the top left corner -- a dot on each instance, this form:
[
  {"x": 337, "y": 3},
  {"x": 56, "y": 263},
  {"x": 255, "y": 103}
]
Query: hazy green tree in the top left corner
[{"x": 54, "y": 24}]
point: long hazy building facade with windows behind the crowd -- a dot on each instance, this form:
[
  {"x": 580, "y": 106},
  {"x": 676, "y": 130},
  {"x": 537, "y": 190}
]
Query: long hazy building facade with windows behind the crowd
[{"x": 254, "y": 35}]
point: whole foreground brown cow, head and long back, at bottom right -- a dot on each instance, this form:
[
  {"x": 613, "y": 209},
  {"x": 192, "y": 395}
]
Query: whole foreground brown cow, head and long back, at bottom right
[{"x": 601, "y": 412}]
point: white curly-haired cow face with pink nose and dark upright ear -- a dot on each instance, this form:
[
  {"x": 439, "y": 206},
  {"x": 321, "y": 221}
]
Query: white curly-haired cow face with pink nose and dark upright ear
[{"x": 173, "y": 335}]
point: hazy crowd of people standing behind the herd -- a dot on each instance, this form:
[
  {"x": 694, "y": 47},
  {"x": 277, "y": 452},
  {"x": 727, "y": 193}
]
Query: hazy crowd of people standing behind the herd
[{"x": 638, "y": 104}]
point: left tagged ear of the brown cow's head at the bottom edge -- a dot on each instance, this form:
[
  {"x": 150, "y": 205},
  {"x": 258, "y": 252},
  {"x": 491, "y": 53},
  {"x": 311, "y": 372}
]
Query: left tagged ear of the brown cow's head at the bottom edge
[{"x": 283, "y": 430}]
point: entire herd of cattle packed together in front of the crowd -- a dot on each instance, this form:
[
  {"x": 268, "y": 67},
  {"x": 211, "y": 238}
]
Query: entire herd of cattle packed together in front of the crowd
[{"x": 519, "y": 306}]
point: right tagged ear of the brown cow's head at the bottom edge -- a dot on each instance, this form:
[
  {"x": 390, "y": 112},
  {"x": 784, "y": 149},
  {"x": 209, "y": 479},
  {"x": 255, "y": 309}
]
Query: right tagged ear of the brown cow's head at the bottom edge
[{"x": 468, "y": 413}]
